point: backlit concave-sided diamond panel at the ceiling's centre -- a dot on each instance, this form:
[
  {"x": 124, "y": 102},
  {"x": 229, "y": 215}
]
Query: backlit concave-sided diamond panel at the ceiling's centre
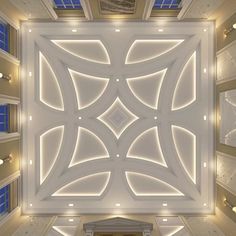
[{"x": 117, "y": 118}]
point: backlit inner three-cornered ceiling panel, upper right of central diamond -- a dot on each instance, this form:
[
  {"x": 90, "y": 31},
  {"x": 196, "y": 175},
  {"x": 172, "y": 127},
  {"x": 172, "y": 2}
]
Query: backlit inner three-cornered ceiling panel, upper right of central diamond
[{"x": 147, "y": 88}]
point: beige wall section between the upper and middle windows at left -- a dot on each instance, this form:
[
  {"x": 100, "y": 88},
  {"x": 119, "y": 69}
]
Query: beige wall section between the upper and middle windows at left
[{"x": 11, "y": 88}]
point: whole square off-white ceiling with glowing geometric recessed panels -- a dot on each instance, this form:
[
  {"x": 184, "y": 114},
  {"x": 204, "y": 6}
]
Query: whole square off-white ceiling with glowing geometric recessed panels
[{"x": 118, "y": 118}]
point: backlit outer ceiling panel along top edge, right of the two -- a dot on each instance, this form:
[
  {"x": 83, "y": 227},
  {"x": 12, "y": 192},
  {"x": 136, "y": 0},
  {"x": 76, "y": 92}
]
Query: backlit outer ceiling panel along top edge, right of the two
[{"x": 147, "y": 49}]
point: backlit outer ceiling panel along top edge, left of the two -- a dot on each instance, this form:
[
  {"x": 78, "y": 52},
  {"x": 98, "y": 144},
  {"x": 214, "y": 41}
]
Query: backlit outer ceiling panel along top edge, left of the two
[{"x": 90, "y": 50}]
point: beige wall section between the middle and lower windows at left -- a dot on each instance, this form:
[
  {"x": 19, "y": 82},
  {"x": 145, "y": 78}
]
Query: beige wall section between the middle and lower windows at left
[{"x": 6, "y": 148}]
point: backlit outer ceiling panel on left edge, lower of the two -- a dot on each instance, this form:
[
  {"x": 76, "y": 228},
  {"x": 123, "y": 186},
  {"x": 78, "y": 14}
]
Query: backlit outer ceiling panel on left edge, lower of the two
[{"x": 50, "y": 145}]
